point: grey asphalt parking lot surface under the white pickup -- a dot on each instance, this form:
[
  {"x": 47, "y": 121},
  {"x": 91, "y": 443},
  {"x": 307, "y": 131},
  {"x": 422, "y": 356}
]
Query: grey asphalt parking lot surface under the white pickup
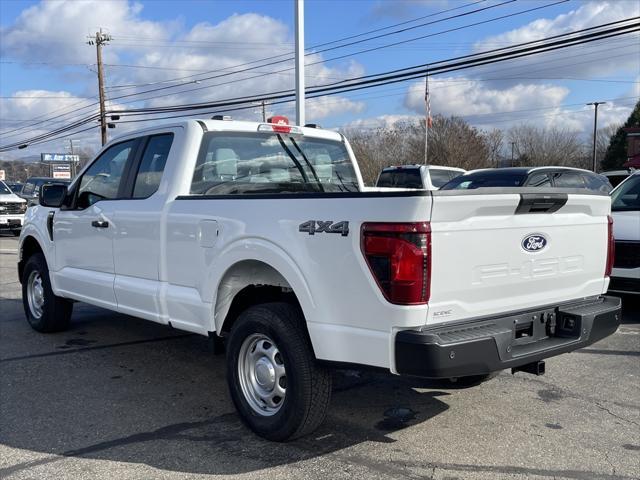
[{"x": 117, "y": 397}]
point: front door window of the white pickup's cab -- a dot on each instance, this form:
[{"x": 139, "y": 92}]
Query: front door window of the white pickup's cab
[{"x": 103, "y": 178}]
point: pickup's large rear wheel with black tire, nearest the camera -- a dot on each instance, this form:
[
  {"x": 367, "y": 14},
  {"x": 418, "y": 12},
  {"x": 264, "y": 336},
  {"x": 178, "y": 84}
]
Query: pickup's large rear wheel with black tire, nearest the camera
[{"x": 275, "y": 383}]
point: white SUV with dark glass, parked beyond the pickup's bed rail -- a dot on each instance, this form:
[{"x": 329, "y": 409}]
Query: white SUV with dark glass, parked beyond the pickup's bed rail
[{"x": 423, "y": 177}]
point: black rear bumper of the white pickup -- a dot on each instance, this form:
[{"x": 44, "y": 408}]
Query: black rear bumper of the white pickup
[{"x": 490, "y": 344}]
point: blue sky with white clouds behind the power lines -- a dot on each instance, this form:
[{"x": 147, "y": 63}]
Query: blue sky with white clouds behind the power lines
[{"x": 171, "y": 49}]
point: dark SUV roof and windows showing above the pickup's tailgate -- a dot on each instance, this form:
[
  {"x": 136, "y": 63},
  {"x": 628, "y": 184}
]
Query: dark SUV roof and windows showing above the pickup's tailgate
[{"x": 558, "y": 177}]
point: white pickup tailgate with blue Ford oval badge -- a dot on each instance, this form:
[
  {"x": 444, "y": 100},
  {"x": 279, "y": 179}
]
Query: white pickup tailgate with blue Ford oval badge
[{"x": 499, "y": 252}]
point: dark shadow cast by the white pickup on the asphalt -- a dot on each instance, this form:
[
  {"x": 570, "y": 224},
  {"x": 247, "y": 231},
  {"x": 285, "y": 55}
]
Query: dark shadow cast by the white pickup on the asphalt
[{"x": 118, "y": 388}]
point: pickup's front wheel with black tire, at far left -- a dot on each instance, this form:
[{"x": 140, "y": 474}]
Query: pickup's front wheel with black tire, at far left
[{"x": 45, "y": 311}]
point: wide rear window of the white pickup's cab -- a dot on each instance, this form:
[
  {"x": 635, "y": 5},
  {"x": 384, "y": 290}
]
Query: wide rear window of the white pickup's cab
[{"x": 249, "y": 163}]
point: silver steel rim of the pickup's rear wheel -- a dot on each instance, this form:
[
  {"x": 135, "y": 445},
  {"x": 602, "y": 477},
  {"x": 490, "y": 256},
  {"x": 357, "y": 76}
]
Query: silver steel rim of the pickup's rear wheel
[{"x": 262, "y": 375}]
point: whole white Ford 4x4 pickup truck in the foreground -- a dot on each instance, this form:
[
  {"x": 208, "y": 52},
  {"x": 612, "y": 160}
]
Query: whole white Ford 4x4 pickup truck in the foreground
[{"x": 260, "y": 234}]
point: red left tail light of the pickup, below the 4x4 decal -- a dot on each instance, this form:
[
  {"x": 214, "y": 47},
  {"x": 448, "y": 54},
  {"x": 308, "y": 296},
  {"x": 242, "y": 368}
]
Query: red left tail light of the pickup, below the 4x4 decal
[{"x": 399, "y": 257}]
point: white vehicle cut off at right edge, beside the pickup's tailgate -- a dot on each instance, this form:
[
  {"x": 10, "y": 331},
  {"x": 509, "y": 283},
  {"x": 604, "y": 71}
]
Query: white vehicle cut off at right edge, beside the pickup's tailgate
[{"x": 625, "y": 209}]
